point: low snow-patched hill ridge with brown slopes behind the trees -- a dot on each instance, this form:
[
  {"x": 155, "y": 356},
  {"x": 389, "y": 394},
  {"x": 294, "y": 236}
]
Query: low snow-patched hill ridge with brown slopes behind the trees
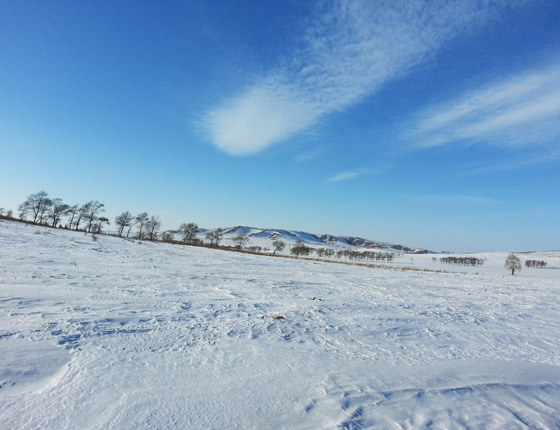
[{"x": 262, "y": 237}]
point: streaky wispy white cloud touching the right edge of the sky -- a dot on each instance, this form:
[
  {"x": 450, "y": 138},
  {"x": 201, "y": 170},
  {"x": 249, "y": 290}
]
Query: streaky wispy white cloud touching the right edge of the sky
[{"x": 517, "y": 110}]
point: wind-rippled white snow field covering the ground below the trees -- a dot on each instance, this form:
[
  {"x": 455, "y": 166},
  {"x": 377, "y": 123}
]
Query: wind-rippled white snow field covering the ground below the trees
[{"x": 121, "y": 334}]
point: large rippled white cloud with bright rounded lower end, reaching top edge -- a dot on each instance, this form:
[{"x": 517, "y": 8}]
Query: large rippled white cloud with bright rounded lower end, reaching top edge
[{"x": 349, "y": 50}]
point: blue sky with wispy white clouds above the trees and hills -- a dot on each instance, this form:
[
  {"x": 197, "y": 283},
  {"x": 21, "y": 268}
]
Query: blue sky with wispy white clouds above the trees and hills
[{"x": 432, "y": 124}]
